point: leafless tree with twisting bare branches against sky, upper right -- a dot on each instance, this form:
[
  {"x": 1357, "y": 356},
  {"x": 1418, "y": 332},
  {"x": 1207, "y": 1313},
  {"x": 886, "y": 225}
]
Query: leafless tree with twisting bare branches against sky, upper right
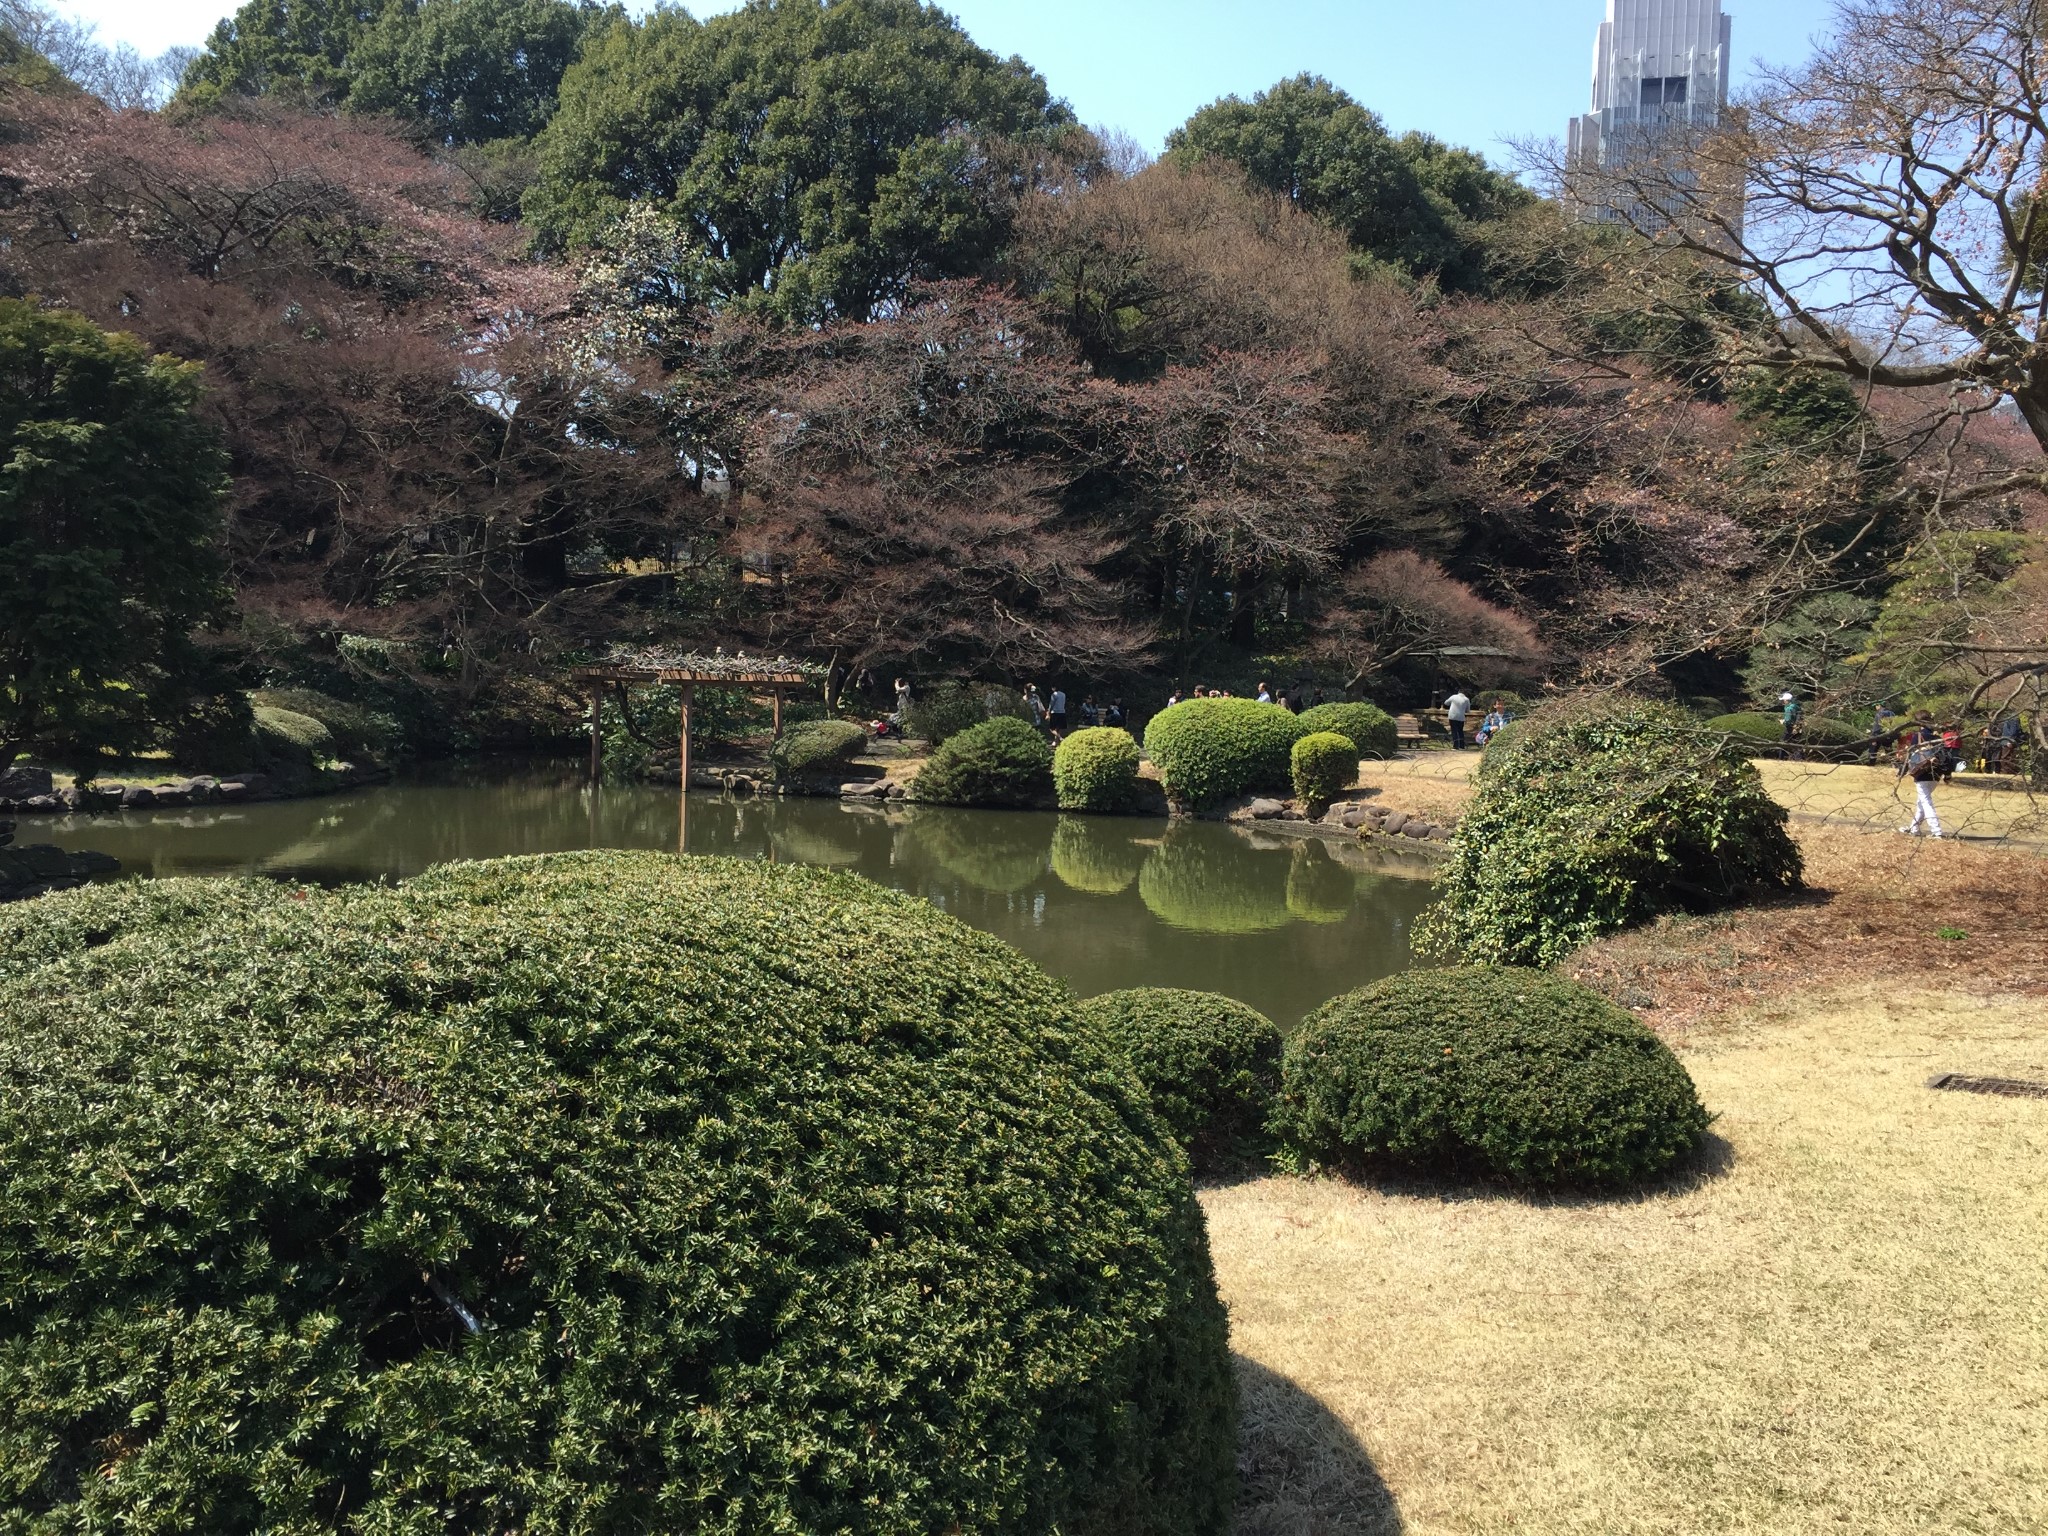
[{"x": 1893, "y": 218}]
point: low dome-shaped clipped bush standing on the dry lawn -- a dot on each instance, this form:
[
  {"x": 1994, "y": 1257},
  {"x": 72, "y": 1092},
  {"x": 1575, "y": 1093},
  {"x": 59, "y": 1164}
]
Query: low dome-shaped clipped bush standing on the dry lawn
[{"x": 1488, "y": 1074}]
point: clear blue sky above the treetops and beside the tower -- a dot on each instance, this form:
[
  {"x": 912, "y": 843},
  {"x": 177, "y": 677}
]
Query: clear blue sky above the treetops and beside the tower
[{"x": 1474, "y": 73}]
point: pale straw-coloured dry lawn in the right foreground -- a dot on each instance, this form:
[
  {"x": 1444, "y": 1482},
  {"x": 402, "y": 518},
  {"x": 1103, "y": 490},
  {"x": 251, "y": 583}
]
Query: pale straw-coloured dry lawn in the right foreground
[{"x": 1840, "y": 1330}]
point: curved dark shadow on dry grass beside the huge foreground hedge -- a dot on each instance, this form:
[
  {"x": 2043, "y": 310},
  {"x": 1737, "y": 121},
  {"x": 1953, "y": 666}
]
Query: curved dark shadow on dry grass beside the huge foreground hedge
[{"x": 1302, "y": 1474}]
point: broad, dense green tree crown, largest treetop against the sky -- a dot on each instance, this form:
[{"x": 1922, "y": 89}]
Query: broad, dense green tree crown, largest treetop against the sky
[{"x": 822, "y": 155}]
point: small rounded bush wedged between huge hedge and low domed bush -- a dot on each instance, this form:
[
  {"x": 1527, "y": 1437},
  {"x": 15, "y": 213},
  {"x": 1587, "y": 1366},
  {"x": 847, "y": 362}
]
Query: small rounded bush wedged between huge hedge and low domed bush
[{"x": 1211, "y": 1064}]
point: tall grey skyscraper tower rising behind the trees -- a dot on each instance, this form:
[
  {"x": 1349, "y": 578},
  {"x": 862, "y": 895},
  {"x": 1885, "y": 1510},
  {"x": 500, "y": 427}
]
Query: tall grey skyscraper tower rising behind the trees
[{"x": 1660, "y": 71}]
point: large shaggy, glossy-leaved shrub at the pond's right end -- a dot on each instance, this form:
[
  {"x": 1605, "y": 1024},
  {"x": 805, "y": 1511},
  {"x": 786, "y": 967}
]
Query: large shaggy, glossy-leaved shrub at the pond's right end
[{"x": 1598, "y": 816}]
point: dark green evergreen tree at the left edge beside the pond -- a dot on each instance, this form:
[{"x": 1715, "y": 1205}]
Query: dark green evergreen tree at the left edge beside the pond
[{"x": 110, "y": 525}]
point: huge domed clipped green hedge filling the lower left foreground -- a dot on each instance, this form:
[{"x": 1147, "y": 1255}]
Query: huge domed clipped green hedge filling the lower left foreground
[{"x": 605, "y": 1193}]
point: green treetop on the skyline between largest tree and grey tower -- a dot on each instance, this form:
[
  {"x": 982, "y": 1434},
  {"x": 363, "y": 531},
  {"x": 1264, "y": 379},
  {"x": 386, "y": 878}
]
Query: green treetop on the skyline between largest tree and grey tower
[{"x": 1410, "y": 204}]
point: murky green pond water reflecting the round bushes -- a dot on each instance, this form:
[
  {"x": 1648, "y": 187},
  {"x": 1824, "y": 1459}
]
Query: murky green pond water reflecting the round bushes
[{"x": 1103, "y": 902}]
